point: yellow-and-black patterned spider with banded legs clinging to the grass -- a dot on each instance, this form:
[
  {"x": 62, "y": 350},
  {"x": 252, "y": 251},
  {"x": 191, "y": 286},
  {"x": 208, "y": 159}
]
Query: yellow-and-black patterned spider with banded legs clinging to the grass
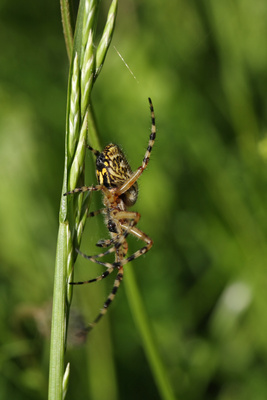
[{"x": 119, "y": 186}]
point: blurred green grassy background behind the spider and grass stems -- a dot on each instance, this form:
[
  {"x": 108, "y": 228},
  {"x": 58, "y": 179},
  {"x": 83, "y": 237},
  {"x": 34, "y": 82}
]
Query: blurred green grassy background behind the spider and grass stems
[{"x": 202, "y": 199}]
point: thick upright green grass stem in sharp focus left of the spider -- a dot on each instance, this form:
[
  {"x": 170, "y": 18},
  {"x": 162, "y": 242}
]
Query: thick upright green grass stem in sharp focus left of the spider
[{"x": 73, "y": 210}]
